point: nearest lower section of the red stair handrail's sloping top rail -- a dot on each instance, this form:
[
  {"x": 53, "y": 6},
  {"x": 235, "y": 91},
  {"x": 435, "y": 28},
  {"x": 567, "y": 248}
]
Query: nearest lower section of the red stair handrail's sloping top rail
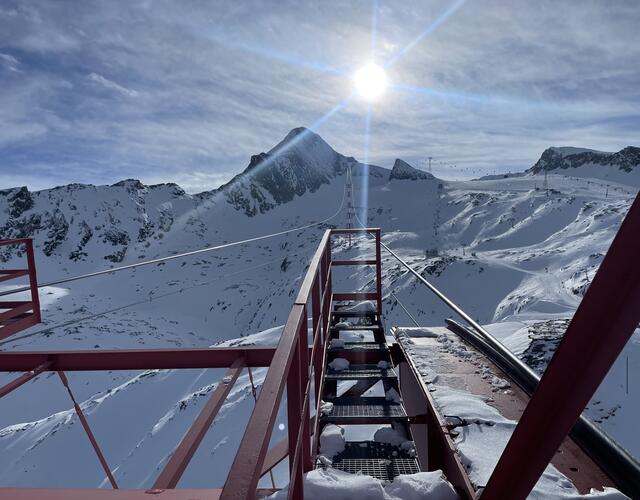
[{"x": 245, "y": 471}]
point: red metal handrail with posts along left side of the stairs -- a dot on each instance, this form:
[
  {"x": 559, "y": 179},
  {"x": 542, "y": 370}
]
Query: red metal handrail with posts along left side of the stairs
[{"x": 296, "y": 368}]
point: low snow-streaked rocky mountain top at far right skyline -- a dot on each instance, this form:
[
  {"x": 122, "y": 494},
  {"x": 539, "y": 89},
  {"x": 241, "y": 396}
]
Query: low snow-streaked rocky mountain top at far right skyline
[{"x": 623, "y": 166}]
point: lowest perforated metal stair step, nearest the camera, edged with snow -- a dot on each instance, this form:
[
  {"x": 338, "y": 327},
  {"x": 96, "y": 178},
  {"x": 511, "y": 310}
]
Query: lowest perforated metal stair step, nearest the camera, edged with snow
[{"x": 380, "y": 460}]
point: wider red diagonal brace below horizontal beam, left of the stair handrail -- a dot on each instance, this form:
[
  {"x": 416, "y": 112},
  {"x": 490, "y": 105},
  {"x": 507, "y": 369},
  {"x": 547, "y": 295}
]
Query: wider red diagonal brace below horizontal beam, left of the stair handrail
[{"x": 182, "y": 455}]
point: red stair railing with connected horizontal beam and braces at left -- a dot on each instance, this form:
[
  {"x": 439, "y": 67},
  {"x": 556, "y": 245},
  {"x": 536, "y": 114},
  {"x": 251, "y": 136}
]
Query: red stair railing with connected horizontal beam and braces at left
[{"x": 293, "y": 364}]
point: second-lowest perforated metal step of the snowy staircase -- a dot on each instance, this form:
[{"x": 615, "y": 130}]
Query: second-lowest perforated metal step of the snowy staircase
[{"x": 364, "y": 410}]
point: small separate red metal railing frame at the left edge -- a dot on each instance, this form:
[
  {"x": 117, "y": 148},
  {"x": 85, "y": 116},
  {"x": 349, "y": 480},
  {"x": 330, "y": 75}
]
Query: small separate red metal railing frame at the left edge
[{"x": 19, "y": 315}]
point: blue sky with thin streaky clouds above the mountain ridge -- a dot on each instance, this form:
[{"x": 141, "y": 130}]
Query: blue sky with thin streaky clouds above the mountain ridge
[{"x": 186, "y": 91}]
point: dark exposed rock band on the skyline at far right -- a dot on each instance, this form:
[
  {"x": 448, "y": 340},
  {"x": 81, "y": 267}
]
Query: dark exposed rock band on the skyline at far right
[{"x": 626, "y": 159}]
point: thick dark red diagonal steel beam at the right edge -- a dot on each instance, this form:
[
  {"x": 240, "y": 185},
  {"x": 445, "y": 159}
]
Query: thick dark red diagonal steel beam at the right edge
[{"x": 599, "y": 330}]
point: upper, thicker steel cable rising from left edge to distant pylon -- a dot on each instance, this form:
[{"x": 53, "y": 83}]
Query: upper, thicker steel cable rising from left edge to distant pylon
[{"x": 176, "y": 256}]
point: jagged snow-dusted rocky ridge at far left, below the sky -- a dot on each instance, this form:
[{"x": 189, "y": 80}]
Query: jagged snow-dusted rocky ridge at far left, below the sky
[{"x": 79, "y": 221}]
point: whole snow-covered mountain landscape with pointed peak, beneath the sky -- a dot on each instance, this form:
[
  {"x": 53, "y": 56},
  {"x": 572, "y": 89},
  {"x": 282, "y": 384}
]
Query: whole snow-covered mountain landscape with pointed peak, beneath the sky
[{"x": 509, "y": 253}]
